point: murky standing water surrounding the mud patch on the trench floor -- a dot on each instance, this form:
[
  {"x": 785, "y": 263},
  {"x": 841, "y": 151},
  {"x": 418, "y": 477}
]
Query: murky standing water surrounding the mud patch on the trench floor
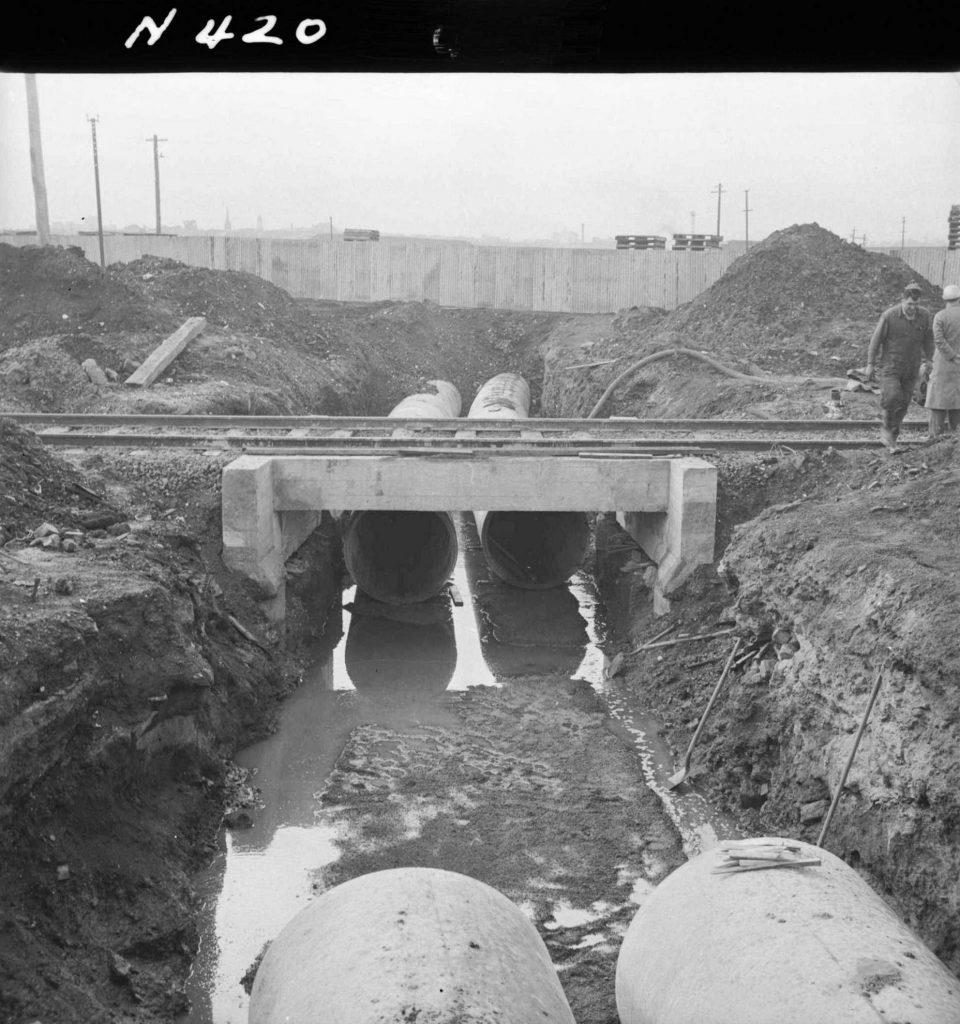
[{"x": 376, "y": 673}]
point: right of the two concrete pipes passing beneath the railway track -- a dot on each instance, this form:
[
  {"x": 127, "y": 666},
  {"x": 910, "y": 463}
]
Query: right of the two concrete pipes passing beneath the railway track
[{"x": 534, "y": 550}]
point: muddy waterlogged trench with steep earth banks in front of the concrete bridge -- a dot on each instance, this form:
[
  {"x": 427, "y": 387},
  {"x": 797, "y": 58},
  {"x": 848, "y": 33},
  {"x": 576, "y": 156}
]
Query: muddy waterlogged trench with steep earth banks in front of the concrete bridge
[{"x": 551, "y": 786}]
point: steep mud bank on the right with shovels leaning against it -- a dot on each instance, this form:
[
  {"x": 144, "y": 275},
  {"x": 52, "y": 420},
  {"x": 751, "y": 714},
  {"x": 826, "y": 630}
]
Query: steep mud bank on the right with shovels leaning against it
[{"x": 854, "y": 559}]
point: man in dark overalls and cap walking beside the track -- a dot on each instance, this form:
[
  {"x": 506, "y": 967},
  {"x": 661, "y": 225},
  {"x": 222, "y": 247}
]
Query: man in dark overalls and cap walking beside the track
[{"x": 902, "y": 343}]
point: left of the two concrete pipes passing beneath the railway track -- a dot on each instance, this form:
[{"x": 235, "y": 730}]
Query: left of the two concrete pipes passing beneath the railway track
[{"x": 404, "y": 558}]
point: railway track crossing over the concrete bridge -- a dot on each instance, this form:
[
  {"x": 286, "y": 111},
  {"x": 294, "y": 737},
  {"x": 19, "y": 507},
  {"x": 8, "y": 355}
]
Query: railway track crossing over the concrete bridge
[{"x": 365, "y": 436}]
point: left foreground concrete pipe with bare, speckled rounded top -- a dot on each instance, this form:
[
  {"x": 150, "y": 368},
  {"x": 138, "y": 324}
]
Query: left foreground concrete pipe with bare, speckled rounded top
[{"x": 409, "y": 945}]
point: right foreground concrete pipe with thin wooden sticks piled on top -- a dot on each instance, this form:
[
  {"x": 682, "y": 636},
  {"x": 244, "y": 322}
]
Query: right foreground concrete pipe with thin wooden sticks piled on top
[{"x": 793, "y": 946}]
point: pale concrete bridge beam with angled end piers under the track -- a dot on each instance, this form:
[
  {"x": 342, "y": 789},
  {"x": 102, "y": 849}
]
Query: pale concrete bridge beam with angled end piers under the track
[{"x": 273, "y": 503}]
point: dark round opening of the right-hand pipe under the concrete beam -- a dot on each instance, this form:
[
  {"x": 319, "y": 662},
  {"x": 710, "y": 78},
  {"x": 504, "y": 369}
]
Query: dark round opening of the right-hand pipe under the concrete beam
[{"x": 534, "y": 550}]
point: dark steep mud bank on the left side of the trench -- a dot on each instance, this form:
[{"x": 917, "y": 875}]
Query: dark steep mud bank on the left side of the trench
[{"x": 126, "y": 686}]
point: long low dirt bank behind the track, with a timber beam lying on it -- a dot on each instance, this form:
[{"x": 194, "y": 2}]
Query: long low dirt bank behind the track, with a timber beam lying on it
[{"x": 261, "y": 353}]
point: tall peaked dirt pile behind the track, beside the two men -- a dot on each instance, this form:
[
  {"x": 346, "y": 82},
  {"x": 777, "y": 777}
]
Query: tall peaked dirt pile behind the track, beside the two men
[{"x": 802, "y": 304}]
